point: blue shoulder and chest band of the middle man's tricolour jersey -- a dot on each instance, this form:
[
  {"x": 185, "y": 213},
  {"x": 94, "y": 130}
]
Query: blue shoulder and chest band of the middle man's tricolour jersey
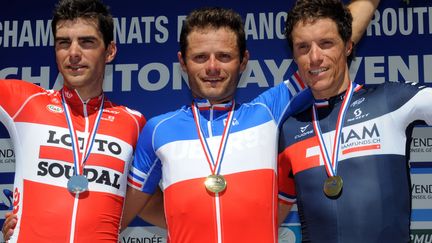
[{"x": 179, "y": 125}]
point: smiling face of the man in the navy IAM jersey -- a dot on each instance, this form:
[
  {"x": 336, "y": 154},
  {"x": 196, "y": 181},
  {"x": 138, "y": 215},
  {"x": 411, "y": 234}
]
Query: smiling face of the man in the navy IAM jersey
[{"x": 321, "y": 57}]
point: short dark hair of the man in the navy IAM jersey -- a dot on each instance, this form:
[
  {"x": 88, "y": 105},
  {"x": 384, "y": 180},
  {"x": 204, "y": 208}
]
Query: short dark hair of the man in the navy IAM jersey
[{"x": 312, "y": 10}]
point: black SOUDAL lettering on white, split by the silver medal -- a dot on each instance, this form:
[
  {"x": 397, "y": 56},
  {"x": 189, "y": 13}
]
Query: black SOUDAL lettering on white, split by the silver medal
[{"x": 99, "y": 175}]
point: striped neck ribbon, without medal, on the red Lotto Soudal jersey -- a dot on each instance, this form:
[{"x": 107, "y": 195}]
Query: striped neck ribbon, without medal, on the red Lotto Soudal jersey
[{"x": 79, "y": 161}]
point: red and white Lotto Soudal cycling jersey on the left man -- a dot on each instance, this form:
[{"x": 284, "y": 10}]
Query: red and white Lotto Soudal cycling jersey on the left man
[{"x": 37, "y": 125}]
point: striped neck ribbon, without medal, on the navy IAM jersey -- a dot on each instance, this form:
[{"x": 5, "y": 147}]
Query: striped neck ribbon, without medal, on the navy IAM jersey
[{"x": 332, "y": 163}]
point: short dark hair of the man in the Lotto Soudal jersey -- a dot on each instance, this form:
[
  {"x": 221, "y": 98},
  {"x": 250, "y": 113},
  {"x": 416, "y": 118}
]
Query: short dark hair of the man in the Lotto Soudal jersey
[{"x": 87, "y": 9}]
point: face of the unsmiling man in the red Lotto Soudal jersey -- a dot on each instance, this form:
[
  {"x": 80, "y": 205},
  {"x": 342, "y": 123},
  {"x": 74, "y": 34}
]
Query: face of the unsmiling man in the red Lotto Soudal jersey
[{"x": 81, "y": 54}]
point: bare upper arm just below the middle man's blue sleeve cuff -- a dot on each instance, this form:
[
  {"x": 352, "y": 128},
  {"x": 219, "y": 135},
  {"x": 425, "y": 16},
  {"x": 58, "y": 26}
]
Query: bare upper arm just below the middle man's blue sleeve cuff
[{"x": 135, "y": 203}]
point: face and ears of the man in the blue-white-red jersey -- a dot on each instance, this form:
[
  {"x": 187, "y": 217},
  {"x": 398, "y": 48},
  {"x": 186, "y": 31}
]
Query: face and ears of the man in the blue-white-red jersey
[{"x": 212, "y": 63}]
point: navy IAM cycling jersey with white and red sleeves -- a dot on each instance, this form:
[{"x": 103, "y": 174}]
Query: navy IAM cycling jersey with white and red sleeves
[{"x": 374, "y": 205}]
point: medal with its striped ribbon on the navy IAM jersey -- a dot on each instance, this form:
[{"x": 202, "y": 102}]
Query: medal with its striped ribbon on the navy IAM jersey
[{"x": 333, "y": 184}]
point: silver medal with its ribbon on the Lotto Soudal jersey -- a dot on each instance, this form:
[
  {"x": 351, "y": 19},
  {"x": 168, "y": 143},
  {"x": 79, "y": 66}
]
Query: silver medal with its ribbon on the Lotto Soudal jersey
[{"x": 78, "y": 183}]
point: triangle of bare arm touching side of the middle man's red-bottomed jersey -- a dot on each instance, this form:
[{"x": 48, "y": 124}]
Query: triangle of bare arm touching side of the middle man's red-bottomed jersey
[{"x": 153, "y": 212}]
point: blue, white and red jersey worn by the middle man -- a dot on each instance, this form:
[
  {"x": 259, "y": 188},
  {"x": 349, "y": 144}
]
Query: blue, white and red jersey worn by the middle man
[{"x": 169, "y": 152}]
